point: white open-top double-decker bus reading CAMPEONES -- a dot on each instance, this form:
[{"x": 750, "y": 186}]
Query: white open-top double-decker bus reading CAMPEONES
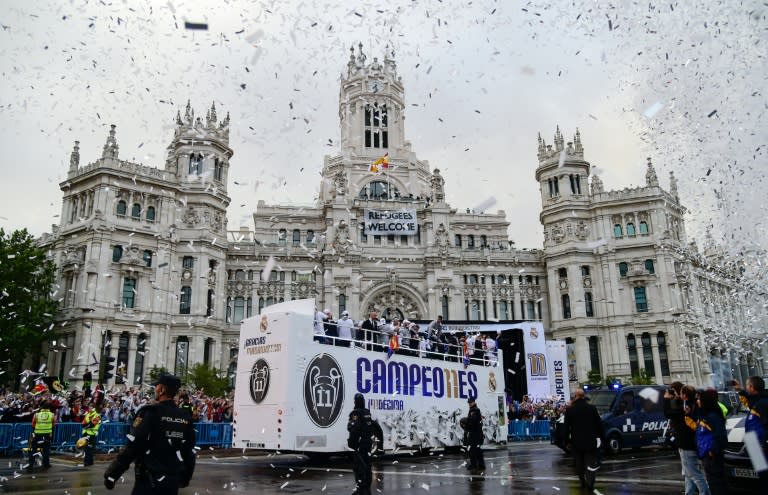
[{"x": 294, "y": 394}]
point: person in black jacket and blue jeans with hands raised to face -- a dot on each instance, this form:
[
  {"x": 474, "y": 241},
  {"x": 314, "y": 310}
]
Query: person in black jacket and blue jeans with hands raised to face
[{"x": 677, "y": 400}]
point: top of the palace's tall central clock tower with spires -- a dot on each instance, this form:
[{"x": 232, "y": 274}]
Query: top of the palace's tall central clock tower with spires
[{"x": 371, "y": 106}]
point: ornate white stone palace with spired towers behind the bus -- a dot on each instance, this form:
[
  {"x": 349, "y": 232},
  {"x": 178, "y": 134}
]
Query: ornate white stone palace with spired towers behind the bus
[{"x": 150, "y": 275}]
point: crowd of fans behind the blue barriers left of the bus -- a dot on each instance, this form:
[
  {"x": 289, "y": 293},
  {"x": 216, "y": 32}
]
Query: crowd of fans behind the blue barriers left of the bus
[{"x": 116, "y": 405}]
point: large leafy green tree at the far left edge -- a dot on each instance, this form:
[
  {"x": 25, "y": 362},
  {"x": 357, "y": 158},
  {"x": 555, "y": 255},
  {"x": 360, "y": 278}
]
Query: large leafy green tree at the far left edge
[{"x": 27, "y": 304}]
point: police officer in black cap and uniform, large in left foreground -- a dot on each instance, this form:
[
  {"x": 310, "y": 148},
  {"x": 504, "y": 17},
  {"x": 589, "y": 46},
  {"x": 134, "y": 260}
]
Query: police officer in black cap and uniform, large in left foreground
[{"x": 161, "y": 442}]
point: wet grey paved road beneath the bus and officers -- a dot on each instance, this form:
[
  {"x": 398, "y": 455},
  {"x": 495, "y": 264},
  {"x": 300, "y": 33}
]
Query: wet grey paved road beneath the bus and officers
[{"x": 521, "y": 468}]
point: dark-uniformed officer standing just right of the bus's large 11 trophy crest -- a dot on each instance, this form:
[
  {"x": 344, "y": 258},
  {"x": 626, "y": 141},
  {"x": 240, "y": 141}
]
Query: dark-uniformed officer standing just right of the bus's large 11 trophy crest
[{"x": 360, "y": 428}]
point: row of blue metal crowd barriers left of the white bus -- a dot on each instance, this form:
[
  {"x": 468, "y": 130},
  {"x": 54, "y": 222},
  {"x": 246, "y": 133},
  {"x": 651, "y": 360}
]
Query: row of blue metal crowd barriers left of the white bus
[{"x": 15, "y": 436}]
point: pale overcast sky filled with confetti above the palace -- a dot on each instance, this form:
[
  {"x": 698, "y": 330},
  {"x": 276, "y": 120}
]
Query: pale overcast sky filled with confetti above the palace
[{"x": 680, "y": 82}]
